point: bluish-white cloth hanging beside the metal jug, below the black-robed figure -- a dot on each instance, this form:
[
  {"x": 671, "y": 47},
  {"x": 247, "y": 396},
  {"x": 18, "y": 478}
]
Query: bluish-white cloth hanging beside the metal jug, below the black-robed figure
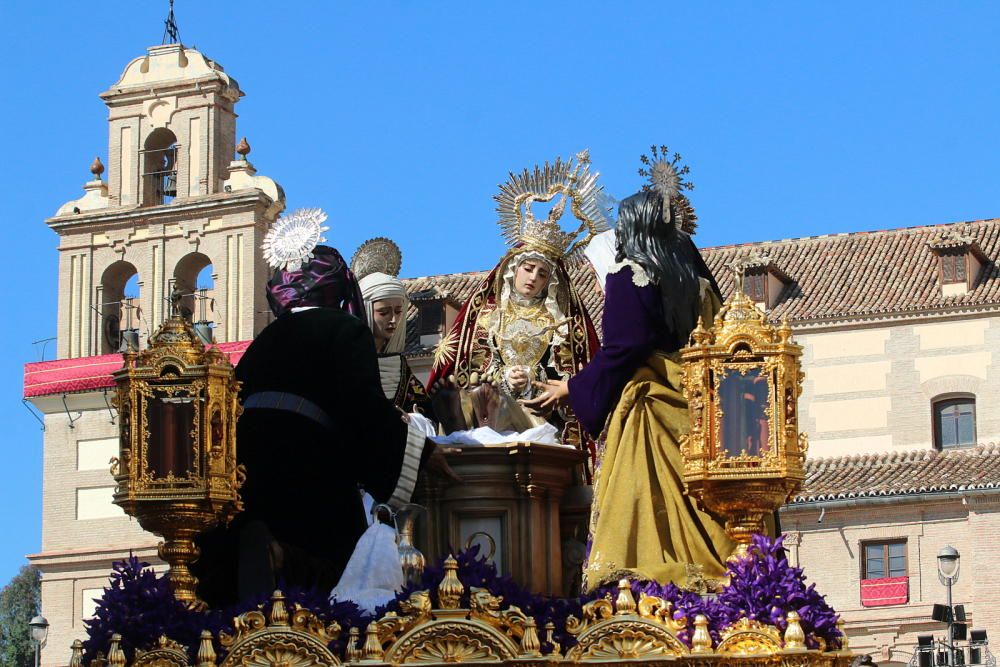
[{"x": 373, "y": 575}]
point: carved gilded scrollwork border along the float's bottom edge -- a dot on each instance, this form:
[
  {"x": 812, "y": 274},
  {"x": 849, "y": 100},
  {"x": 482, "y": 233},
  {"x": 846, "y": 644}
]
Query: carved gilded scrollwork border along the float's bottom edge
[{"x": 616, "y": 630}]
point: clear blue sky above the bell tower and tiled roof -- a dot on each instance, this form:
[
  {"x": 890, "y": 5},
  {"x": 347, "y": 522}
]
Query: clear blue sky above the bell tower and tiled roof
[{"x": 400, "y": 119}]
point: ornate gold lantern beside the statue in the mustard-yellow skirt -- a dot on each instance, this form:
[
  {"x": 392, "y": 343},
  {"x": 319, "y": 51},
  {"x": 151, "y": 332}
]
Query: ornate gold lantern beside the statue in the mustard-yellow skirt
[{"x": 744, "y": 456}]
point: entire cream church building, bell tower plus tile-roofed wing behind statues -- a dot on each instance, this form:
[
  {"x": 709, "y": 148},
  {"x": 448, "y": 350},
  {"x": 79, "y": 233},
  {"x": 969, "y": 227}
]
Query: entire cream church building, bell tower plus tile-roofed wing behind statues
[{"x": 900, "y": 329}]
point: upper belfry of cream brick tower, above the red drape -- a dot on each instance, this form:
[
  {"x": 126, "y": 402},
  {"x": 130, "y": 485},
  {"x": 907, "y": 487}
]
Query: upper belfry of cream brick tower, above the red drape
[{"x": 175, "y": 205}]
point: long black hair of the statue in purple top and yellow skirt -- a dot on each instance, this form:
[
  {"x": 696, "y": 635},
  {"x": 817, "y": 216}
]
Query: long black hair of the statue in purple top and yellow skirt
[{"x": 669, "y": 257}]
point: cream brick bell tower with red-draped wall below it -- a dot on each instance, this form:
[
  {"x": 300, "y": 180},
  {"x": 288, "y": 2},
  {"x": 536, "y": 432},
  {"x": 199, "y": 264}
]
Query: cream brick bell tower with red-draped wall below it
[{"x": 176, "y": 214}]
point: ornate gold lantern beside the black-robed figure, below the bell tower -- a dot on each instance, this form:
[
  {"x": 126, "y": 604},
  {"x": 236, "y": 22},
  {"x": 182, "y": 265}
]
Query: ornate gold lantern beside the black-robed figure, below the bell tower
[{"x": 177, "y": 472}]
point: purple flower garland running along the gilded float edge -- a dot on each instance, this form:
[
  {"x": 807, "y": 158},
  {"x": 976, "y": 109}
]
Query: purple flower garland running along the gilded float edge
[{"x": 138, "y": 605}]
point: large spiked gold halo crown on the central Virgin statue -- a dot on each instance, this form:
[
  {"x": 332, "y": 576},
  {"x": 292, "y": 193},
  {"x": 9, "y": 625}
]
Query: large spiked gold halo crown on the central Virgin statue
[{"x": 568, "y": 181}]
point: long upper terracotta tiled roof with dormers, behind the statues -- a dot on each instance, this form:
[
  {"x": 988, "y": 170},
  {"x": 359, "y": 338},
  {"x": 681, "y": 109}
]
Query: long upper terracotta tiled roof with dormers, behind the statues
[{"x": 831, "y": 277}]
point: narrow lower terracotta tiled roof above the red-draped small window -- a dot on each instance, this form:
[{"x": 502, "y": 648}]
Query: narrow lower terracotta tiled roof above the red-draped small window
[{"x": 901, "y": 473}]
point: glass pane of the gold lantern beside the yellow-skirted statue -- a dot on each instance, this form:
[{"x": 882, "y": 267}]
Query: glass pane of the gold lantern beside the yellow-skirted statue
[{"x": 745, "y": 401}]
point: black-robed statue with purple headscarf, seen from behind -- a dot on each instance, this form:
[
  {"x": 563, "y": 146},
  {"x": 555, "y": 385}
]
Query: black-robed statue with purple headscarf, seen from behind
[{"x": 316, "y": 426}]
